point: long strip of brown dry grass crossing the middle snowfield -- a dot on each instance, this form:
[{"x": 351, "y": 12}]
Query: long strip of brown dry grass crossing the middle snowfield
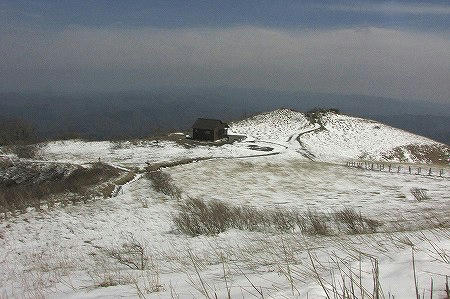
[{"x": 197, "y": 217}]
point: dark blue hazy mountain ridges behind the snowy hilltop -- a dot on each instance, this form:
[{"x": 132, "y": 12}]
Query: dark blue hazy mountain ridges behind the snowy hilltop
[{"x": 137, "y": 114}]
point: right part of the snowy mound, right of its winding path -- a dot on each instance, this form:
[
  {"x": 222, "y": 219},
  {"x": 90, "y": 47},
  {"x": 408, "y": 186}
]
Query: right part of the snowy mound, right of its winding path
[{"x": 344, "y": 137}]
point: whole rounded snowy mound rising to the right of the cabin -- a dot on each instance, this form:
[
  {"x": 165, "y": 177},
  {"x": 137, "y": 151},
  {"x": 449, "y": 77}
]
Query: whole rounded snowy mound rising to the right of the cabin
[{"x": 331, "y": 137}]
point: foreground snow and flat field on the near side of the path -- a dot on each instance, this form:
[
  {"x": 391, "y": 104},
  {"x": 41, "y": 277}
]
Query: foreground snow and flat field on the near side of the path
[{"x": 58, "y": 253}]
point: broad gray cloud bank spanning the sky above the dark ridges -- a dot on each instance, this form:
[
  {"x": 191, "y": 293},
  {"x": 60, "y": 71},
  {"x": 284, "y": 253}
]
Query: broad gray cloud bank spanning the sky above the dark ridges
[{"x": 371, "y": 61}]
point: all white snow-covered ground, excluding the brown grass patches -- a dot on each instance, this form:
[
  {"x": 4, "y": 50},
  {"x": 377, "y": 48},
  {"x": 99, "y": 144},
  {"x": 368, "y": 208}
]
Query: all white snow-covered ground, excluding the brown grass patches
[{"x": 67, "y": 252}]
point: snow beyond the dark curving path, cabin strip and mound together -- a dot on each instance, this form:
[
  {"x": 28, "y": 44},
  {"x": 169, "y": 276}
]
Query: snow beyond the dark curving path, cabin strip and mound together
[{"x": 335, "y": 139}]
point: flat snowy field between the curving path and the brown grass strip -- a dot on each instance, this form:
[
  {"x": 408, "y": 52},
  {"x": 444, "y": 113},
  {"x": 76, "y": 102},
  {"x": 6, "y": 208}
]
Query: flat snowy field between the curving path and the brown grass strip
[{"x": 297, "y": 184}]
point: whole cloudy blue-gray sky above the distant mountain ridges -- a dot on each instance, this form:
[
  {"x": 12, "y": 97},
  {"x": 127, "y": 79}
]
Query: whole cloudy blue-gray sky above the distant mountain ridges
[{"x": 383, "y": 48}]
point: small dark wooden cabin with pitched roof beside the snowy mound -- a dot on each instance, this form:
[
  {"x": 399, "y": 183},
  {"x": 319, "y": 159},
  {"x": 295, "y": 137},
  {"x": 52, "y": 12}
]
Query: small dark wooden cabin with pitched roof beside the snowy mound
[{"x": 206, "y": 129}]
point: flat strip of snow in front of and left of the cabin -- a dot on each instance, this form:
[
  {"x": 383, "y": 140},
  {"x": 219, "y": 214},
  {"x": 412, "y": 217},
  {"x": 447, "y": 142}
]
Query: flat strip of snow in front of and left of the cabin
[{"x": 136, "y": 154}]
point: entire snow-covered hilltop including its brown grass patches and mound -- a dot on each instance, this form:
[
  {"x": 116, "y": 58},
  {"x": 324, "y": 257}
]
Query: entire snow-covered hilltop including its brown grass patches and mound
[{"x": 171, "y": 217}]
